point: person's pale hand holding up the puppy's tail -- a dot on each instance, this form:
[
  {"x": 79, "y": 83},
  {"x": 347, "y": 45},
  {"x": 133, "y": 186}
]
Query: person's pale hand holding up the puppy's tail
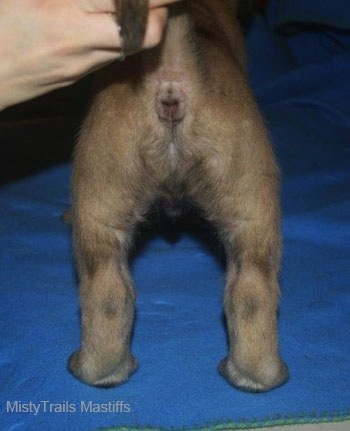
[{"x": 48, "y": 44}]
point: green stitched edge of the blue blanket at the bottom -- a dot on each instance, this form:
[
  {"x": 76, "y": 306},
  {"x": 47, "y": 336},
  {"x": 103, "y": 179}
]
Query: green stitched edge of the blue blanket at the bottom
[{"x": 303, "y": 419}]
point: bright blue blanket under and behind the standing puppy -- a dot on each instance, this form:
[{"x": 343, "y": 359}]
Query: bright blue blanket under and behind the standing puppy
[{"x": 302, "y": 82}]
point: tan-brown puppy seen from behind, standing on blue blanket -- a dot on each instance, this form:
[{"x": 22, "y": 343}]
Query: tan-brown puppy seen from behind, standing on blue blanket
[{"x": 178, "y": 121}]
